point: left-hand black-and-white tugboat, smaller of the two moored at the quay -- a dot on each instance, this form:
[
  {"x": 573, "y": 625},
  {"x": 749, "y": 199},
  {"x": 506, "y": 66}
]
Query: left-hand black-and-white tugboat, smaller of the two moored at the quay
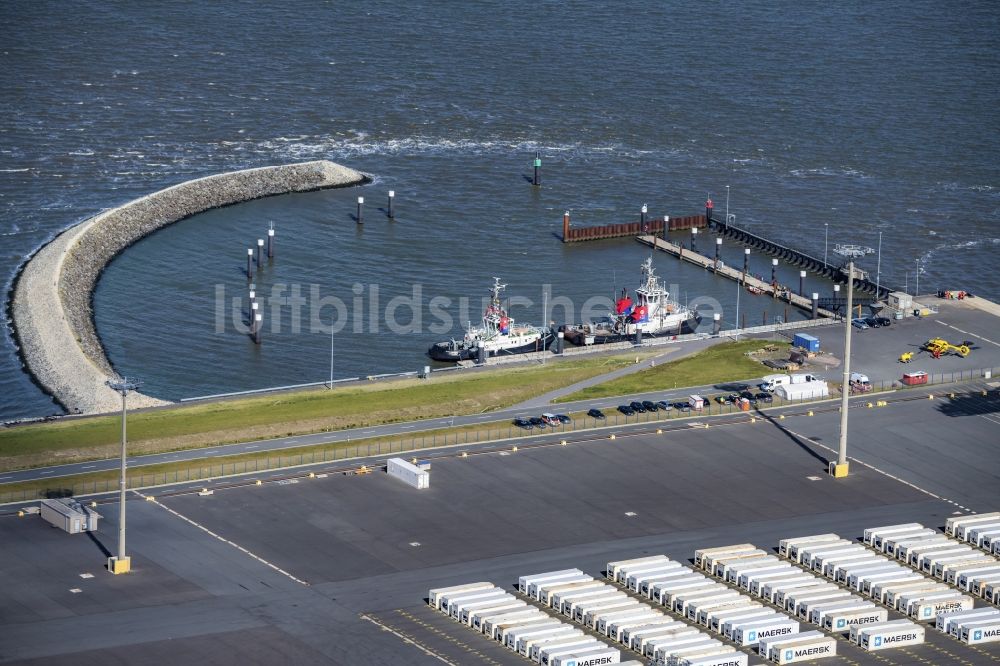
[{"x": 498, "y": 335}]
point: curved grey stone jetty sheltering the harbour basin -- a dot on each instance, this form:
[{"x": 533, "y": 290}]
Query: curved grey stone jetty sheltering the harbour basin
[{"x": 51, "y": 304}]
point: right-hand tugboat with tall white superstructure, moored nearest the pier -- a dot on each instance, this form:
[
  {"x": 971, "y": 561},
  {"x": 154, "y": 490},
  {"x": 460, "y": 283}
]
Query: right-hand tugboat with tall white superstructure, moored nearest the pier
[{"x": 653, "y": 313}]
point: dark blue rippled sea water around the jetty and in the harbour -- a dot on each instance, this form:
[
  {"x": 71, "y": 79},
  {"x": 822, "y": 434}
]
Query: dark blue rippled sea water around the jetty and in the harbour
[{"x": 848, "y": 120}]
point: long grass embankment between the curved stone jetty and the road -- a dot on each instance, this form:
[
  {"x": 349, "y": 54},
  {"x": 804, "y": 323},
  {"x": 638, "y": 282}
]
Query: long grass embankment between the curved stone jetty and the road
[{"x": 294, "y": 413}]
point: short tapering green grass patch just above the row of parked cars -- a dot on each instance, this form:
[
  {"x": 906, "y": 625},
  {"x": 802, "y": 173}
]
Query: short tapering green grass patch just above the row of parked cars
[{"x": 721, "y": 363}]
